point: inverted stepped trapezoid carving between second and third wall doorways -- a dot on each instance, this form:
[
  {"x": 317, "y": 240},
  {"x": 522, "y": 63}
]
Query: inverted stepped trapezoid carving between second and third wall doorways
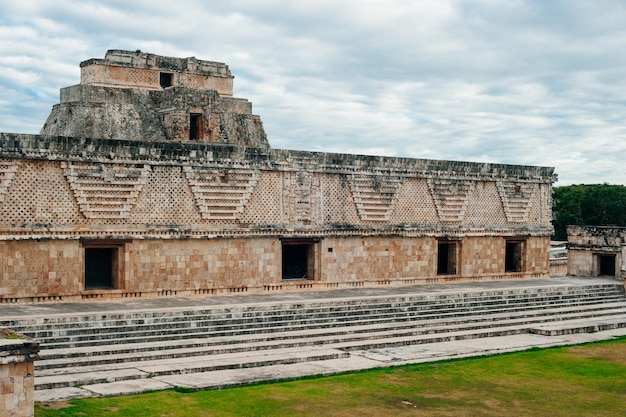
[{"x": 374, "y": 195}]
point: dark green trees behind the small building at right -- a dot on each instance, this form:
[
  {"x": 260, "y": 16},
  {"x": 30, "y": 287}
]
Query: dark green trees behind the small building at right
[{"x": 588, "y": 205}]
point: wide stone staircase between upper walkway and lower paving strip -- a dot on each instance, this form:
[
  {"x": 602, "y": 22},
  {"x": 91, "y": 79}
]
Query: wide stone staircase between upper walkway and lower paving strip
[{"x": 97, "y": 347}]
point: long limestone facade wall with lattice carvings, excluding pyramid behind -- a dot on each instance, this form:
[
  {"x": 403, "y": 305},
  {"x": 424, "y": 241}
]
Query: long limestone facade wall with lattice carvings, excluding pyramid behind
[{"x": 190, "y": 218}]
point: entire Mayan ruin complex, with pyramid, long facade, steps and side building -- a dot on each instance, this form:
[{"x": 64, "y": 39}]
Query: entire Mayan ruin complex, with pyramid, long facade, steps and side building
[{"x": 152, "y": 239}]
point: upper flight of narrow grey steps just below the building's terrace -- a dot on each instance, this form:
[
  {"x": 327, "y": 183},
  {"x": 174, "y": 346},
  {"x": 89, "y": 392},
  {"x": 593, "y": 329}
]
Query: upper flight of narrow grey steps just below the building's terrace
[{"x": 64, "y": 329}]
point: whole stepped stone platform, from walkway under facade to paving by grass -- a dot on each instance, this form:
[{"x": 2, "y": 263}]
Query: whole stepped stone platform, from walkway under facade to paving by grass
[{"x": 117, "y": 348}]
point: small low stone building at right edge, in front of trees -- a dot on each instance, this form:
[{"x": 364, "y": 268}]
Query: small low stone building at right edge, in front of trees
[{"x": 596, "y": 251}]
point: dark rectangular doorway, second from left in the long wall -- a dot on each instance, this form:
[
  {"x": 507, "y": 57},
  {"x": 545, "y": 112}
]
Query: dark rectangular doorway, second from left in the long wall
[{"x": 298, "y": 259}]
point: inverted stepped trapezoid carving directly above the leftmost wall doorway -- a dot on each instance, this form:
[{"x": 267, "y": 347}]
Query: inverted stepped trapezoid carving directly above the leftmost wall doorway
[{"x": 105, "y": 191}]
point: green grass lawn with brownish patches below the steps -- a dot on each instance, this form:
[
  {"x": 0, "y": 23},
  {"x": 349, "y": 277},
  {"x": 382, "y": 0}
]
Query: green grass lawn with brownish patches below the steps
[{"x": 587, "y": 380}]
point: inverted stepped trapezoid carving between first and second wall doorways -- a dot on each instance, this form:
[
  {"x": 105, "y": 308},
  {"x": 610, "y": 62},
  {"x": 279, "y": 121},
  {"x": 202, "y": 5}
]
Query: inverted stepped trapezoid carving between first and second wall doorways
[{"x": 221, "y": 194}]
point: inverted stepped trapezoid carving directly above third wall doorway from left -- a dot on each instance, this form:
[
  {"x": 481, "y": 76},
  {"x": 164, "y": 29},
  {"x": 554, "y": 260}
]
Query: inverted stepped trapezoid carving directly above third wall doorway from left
[{"x": 451, "y": 197}]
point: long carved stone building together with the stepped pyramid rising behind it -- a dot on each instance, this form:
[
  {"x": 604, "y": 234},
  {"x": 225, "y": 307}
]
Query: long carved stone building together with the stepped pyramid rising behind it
[{"x": 150, "y": 179}]
